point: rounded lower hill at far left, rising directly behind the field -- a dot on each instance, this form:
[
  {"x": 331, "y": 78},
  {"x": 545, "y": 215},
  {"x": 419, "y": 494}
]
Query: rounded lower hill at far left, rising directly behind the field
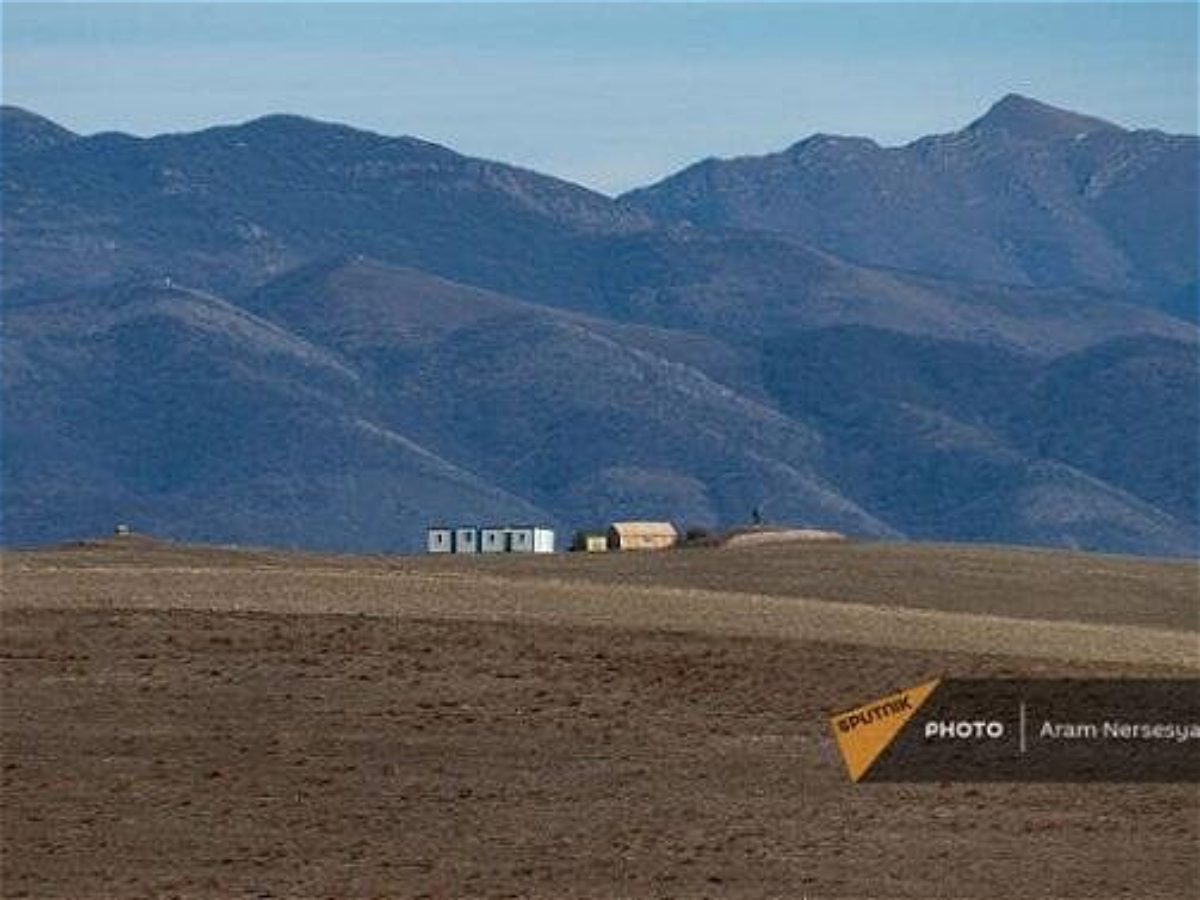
[{"x": 185, "y": 416}]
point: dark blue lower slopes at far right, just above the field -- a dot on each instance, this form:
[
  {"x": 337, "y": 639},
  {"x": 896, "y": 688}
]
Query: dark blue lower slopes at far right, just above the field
[{"x": 941, "y": 437}]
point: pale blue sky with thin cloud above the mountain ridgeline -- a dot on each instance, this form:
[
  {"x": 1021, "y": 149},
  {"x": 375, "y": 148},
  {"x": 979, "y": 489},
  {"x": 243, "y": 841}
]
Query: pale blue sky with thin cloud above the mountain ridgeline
[{"x": 609, "y": 95}]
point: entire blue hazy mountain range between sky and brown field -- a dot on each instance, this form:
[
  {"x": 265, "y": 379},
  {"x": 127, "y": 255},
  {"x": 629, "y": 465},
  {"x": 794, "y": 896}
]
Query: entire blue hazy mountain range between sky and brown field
[{"x": 297, "y": 333}]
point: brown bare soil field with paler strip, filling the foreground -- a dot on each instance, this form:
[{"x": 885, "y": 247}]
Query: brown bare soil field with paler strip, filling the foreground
[{"x": 183, "y": 722}]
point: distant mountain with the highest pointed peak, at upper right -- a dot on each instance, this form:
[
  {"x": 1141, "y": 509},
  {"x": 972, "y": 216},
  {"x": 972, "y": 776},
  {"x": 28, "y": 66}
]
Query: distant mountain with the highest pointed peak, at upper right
[{"x": 1027, "y": 195}]
